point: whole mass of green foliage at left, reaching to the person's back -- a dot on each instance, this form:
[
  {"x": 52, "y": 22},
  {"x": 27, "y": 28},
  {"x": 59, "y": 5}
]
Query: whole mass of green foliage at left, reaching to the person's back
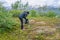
[{"x": 7, "y": 21}]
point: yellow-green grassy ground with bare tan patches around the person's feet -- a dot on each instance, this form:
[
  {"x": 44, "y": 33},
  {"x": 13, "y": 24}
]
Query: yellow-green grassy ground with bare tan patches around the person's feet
[{"x": 39, "y": 28}]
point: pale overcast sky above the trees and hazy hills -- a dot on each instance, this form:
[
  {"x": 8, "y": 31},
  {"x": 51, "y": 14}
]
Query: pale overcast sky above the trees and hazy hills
[{"x": 34, "y": 2}]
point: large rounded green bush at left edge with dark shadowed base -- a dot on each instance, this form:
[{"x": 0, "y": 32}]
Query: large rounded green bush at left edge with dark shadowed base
[{"x": 6, "y": 22}]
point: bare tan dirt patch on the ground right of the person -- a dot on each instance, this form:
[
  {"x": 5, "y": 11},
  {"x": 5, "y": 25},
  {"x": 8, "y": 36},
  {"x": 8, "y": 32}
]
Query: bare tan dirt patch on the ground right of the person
[{"x": 42, "y": 27}]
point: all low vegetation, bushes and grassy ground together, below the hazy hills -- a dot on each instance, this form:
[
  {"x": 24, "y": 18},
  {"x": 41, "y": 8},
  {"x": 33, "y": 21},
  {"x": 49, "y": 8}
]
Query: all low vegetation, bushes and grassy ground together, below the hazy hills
[{"x": 42, "y": 26}]
